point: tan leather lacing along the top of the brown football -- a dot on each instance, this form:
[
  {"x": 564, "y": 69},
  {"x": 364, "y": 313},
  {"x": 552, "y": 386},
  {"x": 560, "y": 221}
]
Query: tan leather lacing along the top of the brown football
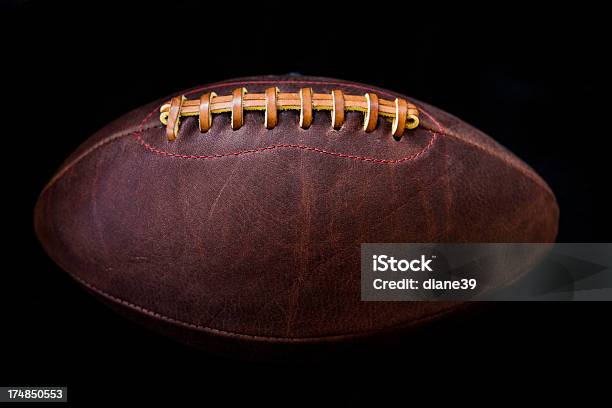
[{"x": 401, "y": 113}]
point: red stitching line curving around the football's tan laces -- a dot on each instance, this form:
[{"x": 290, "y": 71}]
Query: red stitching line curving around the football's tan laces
[{"x": 156, "y": 150}]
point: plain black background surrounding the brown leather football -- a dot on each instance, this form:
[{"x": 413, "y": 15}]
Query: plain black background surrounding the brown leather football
[{"x": 533, "y": 79}]
